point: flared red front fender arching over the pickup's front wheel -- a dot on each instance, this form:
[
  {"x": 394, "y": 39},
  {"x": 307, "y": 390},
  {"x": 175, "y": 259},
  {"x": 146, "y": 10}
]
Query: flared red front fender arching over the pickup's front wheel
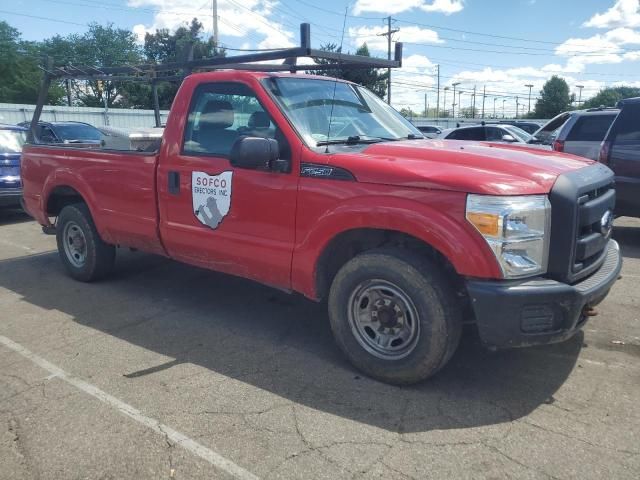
[{"x": 439, "y": 222}]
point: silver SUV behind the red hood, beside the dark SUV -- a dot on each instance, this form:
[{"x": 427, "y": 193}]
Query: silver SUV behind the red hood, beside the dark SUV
[{"x": 579, "y": 132}]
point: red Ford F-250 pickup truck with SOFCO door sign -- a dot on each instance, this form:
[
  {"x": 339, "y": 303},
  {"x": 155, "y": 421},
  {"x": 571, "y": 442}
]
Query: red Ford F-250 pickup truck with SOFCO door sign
[{"x": 317, "y": 186}]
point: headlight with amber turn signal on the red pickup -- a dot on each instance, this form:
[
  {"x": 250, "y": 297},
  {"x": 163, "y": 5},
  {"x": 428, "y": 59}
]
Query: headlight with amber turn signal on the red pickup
[{"x": 516, "y": 229}]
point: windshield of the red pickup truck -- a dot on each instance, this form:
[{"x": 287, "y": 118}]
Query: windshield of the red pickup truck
[{"x": 357, "y": 113}]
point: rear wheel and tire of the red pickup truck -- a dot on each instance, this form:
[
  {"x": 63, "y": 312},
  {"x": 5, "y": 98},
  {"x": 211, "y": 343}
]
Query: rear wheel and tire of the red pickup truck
[{"x": 83, "y": 253}]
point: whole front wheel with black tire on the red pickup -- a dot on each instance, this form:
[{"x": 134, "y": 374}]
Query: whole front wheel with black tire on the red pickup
[{"x": 393, "y": 313}]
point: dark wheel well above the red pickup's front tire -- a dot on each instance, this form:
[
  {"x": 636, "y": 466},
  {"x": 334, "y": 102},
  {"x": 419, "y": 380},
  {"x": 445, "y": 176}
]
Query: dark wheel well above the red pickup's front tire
[{"x": 348, "y": 244}]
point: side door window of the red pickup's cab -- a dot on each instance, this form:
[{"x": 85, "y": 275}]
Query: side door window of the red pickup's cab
[{"x": 221, "y": 113}]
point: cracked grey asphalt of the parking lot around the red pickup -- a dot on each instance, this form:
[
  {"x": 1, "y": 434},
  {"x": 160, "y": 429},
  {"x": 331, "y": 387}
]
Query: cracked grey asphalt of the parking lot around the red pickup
[{"x": 253, "y": 374}]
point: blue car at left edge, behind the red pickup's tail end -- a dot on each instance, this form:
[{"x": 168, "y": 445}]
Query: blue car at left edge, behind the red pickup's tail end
[{"x": 12, "y": 138}]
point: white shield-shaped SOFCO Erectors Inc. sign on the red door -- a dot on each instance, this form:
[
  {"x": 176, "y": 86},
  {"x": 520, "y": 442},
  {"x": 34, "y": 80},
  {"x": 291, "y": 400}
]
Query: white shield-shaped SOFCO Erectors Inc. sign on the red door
[{"x": 211, "y": 197}]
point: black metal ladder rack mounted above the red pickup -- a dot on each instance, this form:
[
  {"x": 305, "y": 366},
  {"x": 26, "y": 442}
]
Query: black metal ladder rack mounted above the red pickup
[{"x": 177, "y": 71}]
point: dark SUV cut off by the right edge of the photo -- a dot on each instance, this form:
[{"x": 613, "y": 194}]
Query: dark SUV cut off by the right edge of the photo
[{"x": 620, "y": 151}]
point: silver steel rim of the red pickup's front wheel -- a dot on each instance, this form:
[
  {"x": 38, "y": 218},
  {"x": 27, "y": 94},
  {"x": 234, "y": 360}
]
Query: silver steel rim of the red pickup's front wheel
[{"x": 383, "y": 319}]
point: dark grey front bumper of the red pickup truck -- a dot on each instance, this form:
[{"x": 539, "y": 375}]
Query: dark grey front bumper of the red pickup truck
[{"x": 519, "y": 313}]
